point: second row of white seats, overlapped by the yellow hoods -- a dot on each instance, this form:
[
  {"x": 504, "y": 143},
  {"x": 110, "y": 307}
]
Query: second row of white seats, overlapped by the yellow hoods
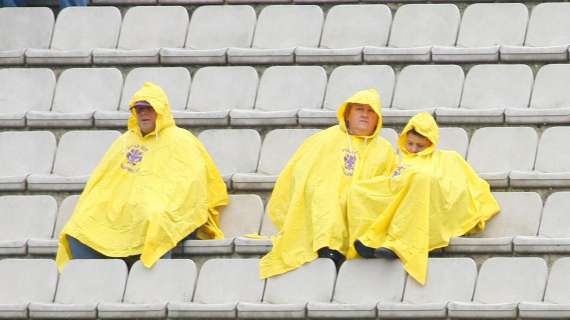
[{"x": 287, "y": 95}]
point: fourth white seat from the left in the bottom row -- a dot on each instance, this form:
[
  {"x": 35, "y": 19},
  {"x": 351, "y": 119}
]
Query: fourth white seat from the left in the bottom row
[{"x": 221, "y": 285}]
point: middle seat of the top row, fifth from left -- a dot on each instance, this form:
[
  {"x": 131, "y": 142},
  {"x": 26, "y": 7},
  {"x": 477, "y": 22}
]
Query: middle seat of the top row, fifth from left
[{"x": 279, "y": 30}]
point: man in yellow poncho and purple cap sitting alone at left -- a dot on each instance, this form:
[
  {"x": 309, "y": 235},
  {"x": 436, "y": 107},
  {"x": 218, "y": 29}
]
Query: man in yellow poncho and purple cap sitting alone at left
[{"x": 155, "y": 186}]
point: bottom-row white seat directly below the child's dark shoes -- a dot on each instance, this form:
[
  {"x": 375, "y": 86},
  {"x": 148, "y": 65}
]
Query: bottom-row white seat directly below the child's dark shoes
[{"x": 360, "y": 286}]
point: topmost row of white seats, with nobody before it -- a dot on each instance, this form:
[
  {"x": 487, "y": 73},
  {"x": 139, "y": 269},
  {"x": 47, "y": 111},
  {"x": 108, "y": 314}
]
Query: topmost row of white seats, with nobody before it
[{"x": 234, "y": 34}]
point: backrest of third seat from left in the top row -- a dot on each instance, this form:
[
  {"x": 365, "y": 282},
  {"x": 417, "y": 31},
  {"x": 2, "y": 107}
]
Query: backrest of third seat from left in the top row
[{"x": 167, "y": 30}]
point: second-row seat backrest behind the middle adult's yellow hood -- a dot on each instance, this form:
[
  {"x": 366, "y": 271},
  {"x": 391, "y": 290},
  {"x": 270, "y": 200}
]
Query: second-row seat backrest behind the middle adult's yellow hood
[{"x": 346, "y": 80}]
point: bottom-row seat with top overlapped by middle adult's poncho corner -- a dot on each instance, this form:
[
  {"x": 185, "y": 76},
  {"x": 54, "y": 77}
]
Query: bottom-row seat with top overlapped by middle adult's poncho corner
[{"x": 286, "y": 295}]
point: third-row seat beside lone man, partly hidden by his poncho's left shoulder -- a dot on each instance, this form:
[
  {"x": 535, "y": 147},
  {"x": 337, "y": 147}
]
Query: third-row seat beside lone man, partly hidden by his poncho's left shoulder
[{"x": 78, "y": 153}]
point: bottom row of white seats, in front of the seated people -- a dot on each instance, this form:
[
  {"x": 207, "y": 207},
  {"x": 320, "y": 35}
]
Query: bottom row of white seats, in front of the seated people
[{"x": 504, "y": 288}]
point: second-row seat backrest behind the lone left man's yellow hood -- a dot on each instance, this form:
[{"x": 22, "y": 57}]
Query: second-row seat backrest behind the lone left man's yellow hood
[{"x": 175, "y": 81}]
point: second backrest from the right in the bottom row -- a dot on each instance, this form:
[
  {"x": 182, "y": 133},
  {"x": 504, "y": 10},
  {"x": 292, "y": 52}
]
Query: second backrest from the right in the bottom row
[{"x": 511, "y": 279}]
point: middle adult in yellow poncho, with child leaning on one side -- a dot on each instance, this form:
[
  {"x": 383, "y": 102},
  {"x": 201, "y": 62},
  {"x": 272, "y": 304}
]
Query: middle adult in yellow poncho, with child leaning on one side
[{"x": 308, "y": 203}]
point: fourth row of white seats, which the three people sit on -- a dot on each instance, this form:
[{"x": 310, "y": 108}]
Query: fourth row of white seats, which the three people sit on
[{"x": 32, "y": 224}]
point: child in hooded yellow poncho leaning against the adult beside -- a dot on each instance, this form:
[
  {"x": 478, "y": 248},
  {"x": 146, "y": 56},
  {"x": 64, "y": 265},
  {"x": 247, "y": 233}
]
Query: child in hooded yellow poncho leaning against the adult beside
[{"x": 433, "y": 195}]
